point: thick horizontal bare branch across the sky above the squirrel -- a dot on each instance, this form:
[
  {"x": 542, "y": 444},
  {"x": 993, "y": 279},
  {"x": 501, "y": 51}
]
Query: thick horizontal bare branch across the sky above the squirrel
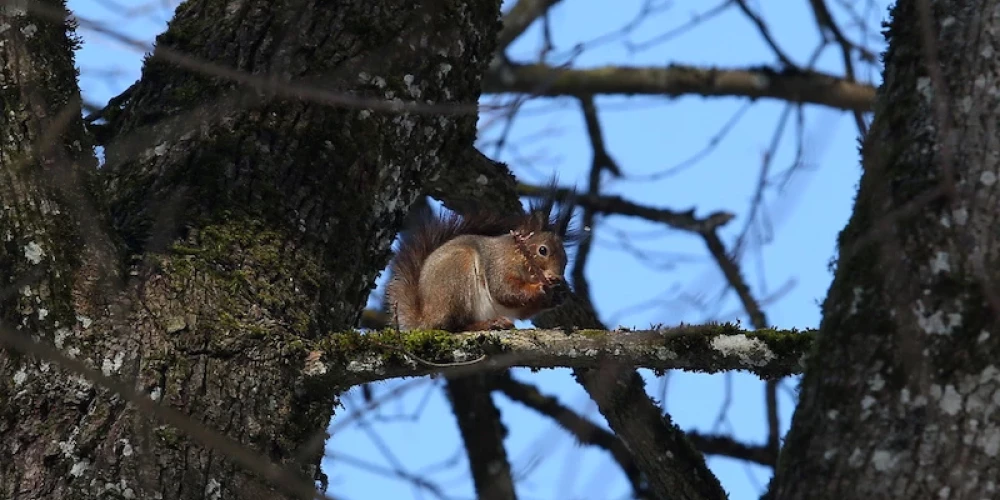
[{"x": 677, "y": 80}]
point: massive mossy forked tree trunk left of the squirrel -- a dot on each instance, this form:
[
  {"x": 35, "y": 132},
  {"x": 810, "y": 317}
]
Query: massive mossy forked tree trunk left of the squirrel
[{"x": 261, "y": 219}]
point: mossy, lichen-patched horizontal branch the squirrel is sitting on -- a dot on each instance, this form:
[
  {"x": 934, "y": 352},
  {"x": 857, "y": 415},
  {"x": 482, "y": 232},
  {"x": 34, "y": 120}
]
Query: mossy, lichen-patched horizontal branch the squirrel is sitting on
[{"x": 350, "y": 358}]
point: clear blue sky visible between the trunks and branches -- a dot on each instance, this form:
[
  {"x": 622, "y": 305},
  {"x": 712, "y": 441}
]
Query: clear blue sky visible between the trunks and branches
[{"x": 645, "y": 135}]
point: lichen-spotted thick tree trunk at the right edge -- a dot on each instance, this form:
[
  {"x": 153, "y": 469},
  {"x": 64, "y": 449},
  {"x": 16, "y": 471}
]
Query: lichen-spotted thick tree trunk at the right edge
[{"x": 901, "y": 395}]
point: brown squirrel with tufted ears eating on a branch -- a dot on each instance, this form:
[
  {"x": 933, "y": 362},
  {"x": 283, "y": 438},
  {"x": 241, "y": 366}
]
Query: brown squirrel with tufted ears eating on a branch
[{"x": 480, "y": 271}]
